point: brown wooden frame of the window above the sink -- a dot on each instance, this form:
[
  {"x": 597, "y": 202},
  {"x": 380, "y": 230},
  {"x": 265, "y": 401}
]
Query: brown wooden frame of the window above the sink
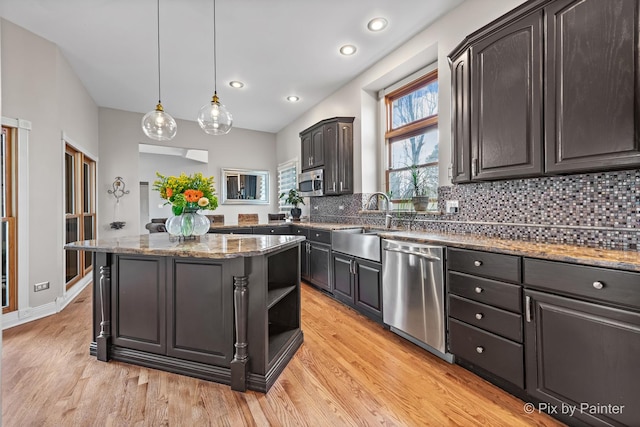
[{"x": 417, "y": 127}]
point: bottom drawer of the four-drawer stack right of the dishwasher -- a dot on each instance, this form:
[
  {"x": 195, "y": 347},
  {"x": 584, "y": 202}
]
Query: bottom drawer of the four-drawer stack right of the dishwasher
[{"x": 495, "y": 354}]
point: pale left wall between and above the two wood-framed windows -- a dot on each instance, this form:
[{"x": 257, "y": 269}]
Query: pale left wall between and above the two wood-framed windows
[{"x": 39, "y": 86}]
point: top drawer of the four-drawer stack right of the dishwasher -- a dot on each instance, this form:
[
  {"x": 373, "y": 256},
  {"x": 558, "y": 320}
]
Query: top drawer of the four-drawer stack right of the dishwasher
[{"x": 486, "y": 264}]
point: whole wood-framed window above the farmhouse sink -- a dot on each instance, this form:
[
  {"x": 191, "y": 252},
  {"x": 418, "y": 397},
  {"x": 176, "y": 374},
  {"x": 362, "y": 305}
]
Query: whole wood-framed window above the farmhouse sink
[{"x": 412, "y": 139}]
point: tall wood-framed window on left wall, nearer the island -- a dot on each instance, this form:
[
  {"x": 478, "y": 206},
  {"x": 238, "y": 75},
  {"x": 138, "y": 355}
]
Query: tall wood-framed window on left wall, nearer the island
[{"x": 80, "y": 215}]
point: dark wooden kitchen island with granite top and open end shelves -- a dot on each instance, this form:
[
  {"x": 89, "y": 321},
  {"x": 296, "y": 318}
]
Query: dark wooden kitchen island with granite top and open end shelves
[{"x": 224, "y": 308}]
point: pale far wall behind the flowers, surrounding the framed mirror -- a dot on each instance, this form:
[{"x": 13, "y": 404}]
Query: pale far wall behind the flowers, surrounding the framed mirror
[{"x": 120, "y": 134}]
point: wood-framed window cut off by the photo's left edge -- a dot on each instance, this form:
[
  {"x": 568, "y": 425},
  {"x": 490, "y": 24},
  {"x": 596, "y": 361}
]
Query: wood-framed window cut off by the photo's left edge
[{"x": 9, "y": 229}]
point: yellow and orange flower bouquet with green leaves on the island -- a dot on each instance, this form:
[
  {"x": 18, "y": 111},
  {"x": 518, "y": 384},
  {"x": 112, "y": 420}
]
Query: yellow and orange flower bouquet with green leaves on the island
[{"x": 187, "y": 192}]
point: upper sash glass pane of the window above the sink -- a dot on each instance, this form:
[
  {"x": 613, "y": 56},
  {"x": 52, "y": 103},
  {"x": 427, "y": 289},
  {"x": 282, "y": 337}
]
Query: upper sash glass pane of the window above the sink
[{"x": 414, "y": 106}]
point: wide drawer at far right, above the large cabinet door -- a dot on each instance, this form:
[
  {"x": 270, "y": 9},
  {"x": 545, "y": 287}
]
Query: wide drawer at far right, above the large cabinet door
[{"x": 596, "y": 283}]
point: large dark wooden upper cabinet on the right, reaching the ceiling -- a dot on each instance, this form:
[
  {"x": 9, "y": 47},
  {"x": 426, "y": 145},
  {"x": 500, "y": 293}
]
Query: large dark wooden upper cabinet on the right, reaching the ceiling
[{"x": 551, "y": 87}]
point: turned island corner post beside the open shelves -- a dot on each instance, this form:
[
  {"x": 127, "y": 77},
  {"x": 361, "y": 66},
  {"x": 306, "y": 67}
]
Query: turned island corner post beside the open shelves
[{"x": 241, "y": 356}]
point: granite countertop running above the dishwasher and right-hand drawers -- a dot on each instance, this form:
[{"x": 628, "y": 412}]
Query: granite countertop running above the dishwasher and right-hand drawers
[{"x": 623, "y": 260}]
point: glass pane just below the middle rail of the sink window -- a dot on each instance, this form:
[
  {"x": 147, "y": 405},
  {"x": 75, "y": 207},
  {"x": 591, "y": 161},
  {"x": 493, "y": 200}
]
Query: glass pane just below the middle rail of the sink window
[{"x": 415, "y": 150}]
